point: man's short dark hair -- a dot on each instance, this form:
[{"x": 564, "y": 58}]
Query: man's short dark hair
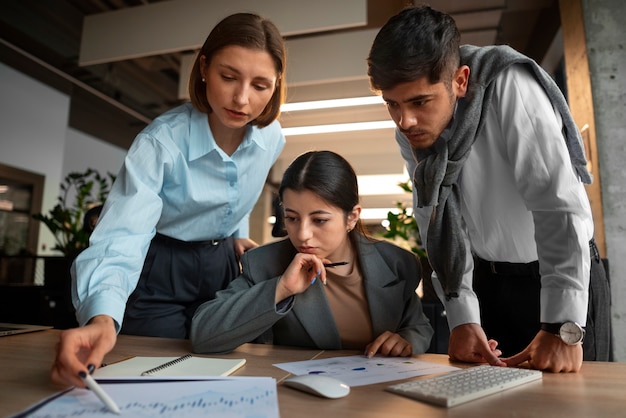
[{"x": 417, "y": 42}]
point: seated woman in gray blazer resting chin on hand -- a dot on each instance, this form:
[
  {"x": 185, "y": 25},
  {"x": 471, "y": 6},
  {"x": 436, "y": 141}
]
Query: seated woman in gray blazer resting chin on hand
[{"x": 285, "y": 294}]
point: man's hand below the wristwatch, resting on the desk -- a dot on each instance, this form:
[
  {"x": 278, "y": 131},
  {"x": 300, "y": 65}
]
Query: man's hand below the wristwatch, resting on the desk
[{"x": 547, "y": 352}]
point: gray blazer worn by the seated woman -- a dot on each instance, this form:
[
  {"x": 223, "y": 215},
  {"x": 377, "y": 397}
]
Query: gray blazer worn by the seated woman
[{"x": 246, "y": 312}]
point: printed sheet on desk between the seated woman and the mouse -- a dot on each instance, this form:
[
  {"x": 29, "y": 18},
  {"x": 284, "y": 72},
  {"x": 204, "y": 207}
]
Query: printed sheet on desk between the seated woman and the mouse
[{"x": 359, "y": 370}]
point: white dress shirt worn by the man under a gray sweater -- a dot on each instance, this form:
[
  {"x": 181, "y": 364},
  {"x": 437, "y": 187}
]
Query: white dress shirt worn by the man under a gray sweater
[{"x": 521, "y": 201}]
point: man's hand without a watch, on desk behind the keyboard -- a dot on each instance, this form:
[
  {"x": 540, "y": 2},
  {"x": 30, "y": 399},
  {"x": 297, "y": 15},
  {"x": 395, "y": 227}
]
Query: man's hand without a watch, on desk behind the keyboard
[{"x": 468, "y": 343}]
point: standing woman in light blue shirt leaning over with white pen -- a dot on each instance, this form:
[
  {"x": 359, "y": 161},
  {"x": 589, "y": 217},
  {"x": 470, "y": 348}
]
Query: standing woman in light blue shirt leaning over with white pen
[{"x": 176, "y": 219}]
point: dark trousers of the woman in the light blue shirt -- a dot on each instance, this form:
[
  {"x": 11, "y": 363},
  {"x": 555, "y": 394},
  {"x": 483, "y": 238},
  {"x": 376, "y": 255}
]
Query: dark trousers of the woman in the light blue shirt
[{"x": 177, "y": 277}]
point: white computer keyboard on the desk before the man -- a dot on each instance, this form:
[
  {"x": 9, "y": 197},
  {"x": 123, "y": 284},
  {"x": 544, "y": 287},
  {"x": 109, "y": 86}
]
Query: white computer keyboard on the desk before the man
[{"x": 465, "y": 385}]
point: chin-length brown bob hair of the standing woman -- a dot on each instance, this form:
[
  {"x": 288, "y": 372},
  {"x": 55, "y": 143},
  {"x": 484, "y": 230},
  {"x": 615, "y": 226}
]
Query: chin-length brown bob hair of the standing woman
[{"x": 250, "y": 31}]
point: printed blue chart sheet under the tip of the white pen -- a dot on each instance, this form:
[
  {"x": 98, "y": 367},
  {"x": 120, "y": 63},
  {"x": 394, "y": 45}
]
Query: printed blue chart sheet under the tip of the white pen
[{"x": 232, "y": 397}]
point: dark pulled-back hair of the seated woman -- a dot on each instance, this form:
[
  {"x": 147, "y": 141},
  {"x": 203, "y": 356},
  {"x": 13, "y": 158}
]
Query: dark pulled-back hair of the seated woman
[{"x": 328, "y": 175}]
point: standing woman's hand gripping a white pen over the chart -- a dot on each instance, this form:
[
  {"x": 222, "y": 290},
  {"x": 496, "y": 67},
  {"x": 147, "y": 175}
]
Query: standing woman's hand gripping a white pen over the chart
[{"x": 82, "y": 349}]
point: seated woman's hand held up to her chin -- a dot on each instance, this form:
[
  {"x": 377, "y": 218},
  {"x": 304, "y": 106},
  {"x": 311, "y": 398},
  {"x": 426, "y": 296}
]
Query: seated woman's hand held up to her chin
[{"x": 301, "y": 273}]
